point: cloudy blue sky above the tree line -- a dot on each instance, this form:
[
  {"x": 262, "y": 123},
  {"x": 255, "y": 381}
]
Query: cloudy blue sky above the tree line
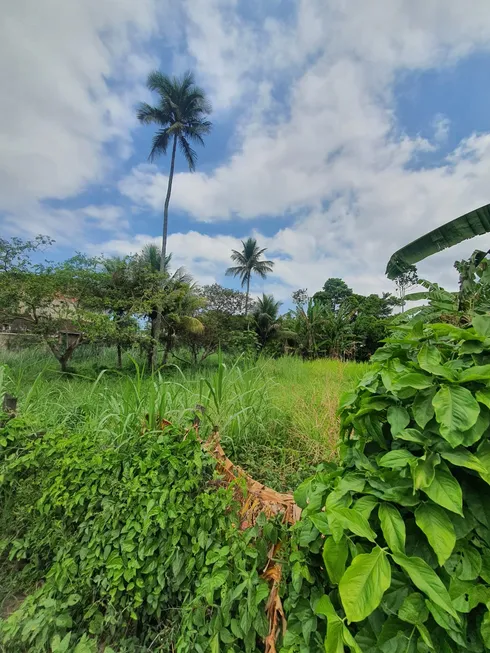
[{"x": 342, "y": 130}]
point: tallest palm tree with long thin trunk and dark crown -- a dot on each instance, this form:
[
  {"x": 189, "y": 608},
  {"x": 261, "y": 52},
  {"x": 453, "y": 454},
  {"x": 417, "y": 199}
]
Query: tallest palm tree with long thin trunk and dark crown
[{"x": 181, "y": 117}]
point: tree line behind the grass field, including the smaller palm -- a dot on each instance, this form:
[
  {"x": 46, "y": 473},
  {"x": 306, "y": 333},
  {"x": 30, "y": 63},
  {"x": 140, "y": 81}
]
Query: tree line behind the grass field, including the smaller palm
[{"x": 128, "y": 302}]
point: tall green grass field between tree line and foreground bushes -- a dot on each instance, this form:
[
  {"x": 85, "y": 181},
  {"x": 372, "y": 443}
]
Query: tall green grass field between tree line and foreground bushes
[{"x": 276, "y": 418}]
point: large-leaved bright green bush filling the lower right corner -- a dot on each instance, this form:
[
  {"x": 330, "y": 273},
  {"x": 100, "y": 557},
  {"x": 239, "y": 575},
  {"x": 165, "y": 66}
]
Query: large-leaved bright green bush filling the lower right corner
[{"x": 393, "y": 550}]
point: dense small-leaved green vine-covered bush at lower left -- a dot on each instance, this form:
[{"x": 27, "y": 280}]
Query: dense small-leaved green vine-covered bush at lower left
[{"x": 127, "y": 546}]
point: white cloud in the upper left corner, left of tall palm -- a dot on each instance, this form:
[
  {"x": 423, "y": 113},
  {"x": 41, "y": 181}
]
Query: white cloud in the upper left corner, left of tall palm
[{"x": 72, "y": 73}]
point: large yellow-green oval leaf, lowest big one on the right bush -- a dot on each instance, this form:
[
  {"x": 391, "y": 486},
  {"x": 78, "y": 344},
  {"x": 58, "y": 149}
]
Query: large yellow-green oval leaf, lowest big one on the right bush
[{"x": 364, "y": 583}]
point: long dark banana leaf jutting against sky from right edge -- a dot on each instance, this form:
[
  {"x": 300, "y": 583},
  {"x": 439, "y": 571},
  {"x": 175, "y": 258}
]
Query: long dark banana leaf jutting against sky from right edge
[{"x": 474, "y": 223}]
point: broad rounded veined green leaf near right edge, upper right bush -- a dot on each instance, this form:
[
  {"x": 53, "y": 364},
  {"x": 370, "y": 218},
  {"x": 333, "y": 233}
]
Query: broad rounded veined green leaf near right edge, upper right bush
[{"x": 455, "y": 408}]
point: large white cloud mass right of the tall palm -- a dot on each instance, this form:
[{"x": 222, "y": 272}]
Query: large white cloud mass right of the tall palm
[{"x": 334, "y": 156}]
